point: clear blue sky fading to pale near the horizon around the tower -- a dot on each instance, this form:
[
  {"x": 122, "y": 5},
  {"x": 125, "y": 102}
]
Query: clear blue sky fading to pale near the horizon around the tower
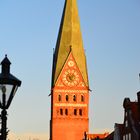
[{"x": 111, "y": 36}]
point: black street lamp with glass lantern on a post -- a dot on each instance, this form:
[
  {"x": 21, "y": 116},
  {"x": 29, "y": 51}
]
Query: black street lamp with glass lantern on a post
[{"x": 8, "y": 88}]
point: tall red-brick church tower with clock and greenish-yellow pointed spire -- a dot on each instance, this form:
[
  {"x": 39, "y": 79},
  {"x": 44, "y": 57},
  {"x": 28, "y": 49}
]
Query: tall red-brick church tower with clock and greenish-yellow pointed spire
[{"x": 70, "y": 88}]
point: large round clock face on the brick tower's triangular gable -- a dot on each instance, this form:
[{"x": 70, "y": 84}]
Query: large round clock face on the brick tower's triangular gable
[{"x": 70, "y": 78}]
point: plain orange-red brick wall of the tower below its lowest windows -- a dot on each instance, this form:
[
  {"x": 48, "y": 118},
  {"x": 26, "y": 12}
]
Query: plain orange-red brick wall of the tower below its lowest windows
[{"x": 69, "y": 129}]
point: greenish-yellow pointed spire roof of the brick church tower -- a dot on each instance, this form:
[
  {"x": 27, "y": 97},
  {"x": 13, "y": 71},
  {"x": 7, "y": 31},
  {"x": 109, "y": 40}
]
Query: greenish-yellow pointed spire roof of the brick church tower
[{"x": 69, "y": 39}]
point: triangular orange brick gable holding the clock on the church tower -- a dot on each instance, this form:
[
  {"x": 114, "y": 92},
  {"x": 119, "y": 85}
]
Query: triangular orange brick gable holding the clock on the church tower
[{"x": 70, "y": 75}]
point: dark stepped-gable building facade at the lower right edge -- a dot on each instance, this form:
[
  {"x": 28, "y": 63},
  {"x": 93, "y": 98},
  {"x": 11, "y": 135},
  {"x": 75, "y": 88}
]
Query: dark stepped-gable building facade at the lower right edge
[{"x": 130, "y": 129}]
